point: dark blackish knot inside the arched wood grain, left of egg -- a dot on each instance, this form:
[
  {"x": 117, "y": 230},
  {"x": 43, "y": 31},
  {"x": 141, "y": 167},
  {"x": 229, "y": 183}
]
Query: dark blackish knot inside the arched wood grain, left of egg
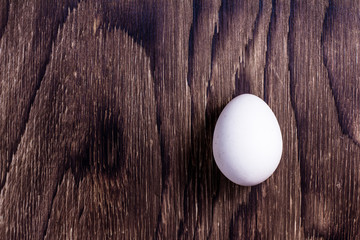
[{"x": 102, "y": 150}]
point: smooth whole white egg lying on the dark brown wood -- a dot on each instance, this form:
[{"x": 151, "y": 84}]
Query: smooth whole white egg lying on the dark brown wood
[{"x": 247, "y": 141}]
